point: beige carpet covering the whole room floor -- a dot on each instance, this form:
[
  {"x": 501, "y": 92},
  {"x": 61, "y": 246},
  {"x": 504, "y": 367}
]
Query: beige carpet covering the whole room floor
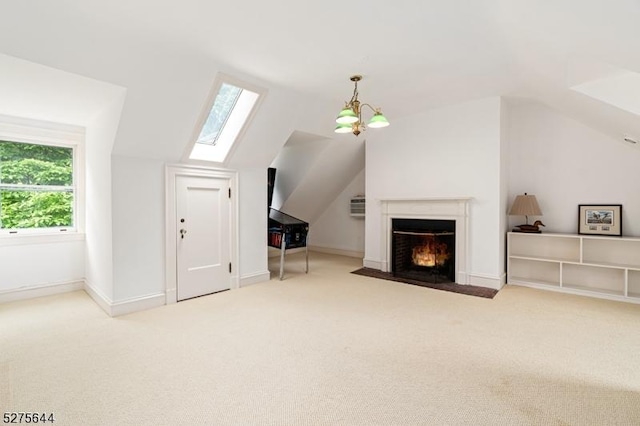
[{"x": 326, "y": 348}]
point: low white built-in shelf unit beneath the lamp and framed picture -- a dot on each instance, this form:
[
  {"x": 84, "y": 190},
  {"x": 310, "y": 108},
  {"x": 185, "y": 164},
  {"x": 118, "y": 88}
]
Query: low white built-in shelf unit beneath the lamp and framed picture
[{"x": 598, "y": 266}]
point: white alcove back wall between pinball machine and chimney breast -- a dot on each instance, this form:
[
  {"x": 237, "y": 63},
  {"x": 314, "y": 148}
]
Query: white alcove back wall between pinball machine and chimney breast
[{"x": 336, "y": 229}]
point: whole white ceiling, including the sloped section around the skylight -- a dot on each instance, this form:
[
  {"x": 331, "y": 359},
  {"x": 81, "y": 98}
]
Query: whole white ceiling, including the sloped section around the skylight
[{"x": 413, "y": 55}]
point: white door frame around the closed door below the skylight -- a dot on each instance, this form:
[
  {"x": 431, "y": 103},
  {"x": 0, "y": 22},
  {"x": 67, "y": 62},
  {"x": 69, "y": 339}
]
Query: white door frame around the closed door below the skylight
[{"x": 171, "y": 229}]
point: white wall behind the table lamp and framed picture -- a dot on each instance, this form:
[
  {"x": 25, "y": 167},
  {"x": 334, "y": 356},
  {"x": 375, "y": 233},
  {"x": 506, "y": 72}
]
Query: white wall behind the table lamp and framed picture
[{"x": 565, "y": 163}]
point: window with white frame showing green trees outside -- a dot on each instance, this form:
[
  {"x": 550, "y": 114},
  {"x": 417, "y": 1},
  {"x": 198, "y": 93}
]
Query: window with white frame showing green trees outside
[{"x": 38, "y": 178}]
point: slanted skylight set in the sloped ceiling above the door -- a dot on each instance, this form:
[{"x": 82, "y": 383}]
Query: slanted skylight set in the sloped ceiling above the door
[{"x": 227, "y": 117}]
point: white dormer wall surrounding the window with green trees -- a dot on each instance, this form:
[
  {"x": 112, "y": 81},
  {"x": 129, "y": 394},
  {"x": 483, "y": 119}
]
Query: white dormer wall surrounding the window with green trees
[{"x": 33, "y": 91}]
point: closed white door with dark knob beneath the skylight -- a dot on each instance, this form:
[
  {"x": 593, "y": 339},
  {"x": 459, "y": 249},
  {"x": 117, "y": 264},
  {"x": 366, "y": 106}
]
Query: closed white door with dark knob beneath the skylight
[{"x": 203, "y": 239}]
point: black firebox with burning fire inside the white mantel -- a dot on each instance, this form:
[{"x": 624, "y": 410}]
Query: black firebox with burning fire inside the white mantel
[{"x": 424, "y": 249}]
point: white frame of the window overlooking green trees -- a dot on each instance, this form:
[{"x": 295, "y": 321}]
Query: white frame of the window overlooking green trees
[{"x": 24, "y": 130}]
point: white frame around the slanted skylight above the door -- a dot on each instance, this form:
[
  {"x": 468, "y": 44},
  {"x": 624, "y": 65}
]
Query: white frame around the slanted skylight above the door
[{"x": 219, "y": 80}]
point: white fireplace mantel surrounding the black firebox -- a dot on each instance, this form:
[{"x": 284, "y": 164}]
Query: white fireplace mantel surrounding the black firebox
[{"x": 450, "y": 208}]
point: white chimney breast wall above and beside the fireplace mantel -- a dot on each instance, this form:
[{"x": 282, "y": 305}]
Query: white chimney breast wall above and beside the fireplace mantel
[{"x": 447, "y": 152}]
